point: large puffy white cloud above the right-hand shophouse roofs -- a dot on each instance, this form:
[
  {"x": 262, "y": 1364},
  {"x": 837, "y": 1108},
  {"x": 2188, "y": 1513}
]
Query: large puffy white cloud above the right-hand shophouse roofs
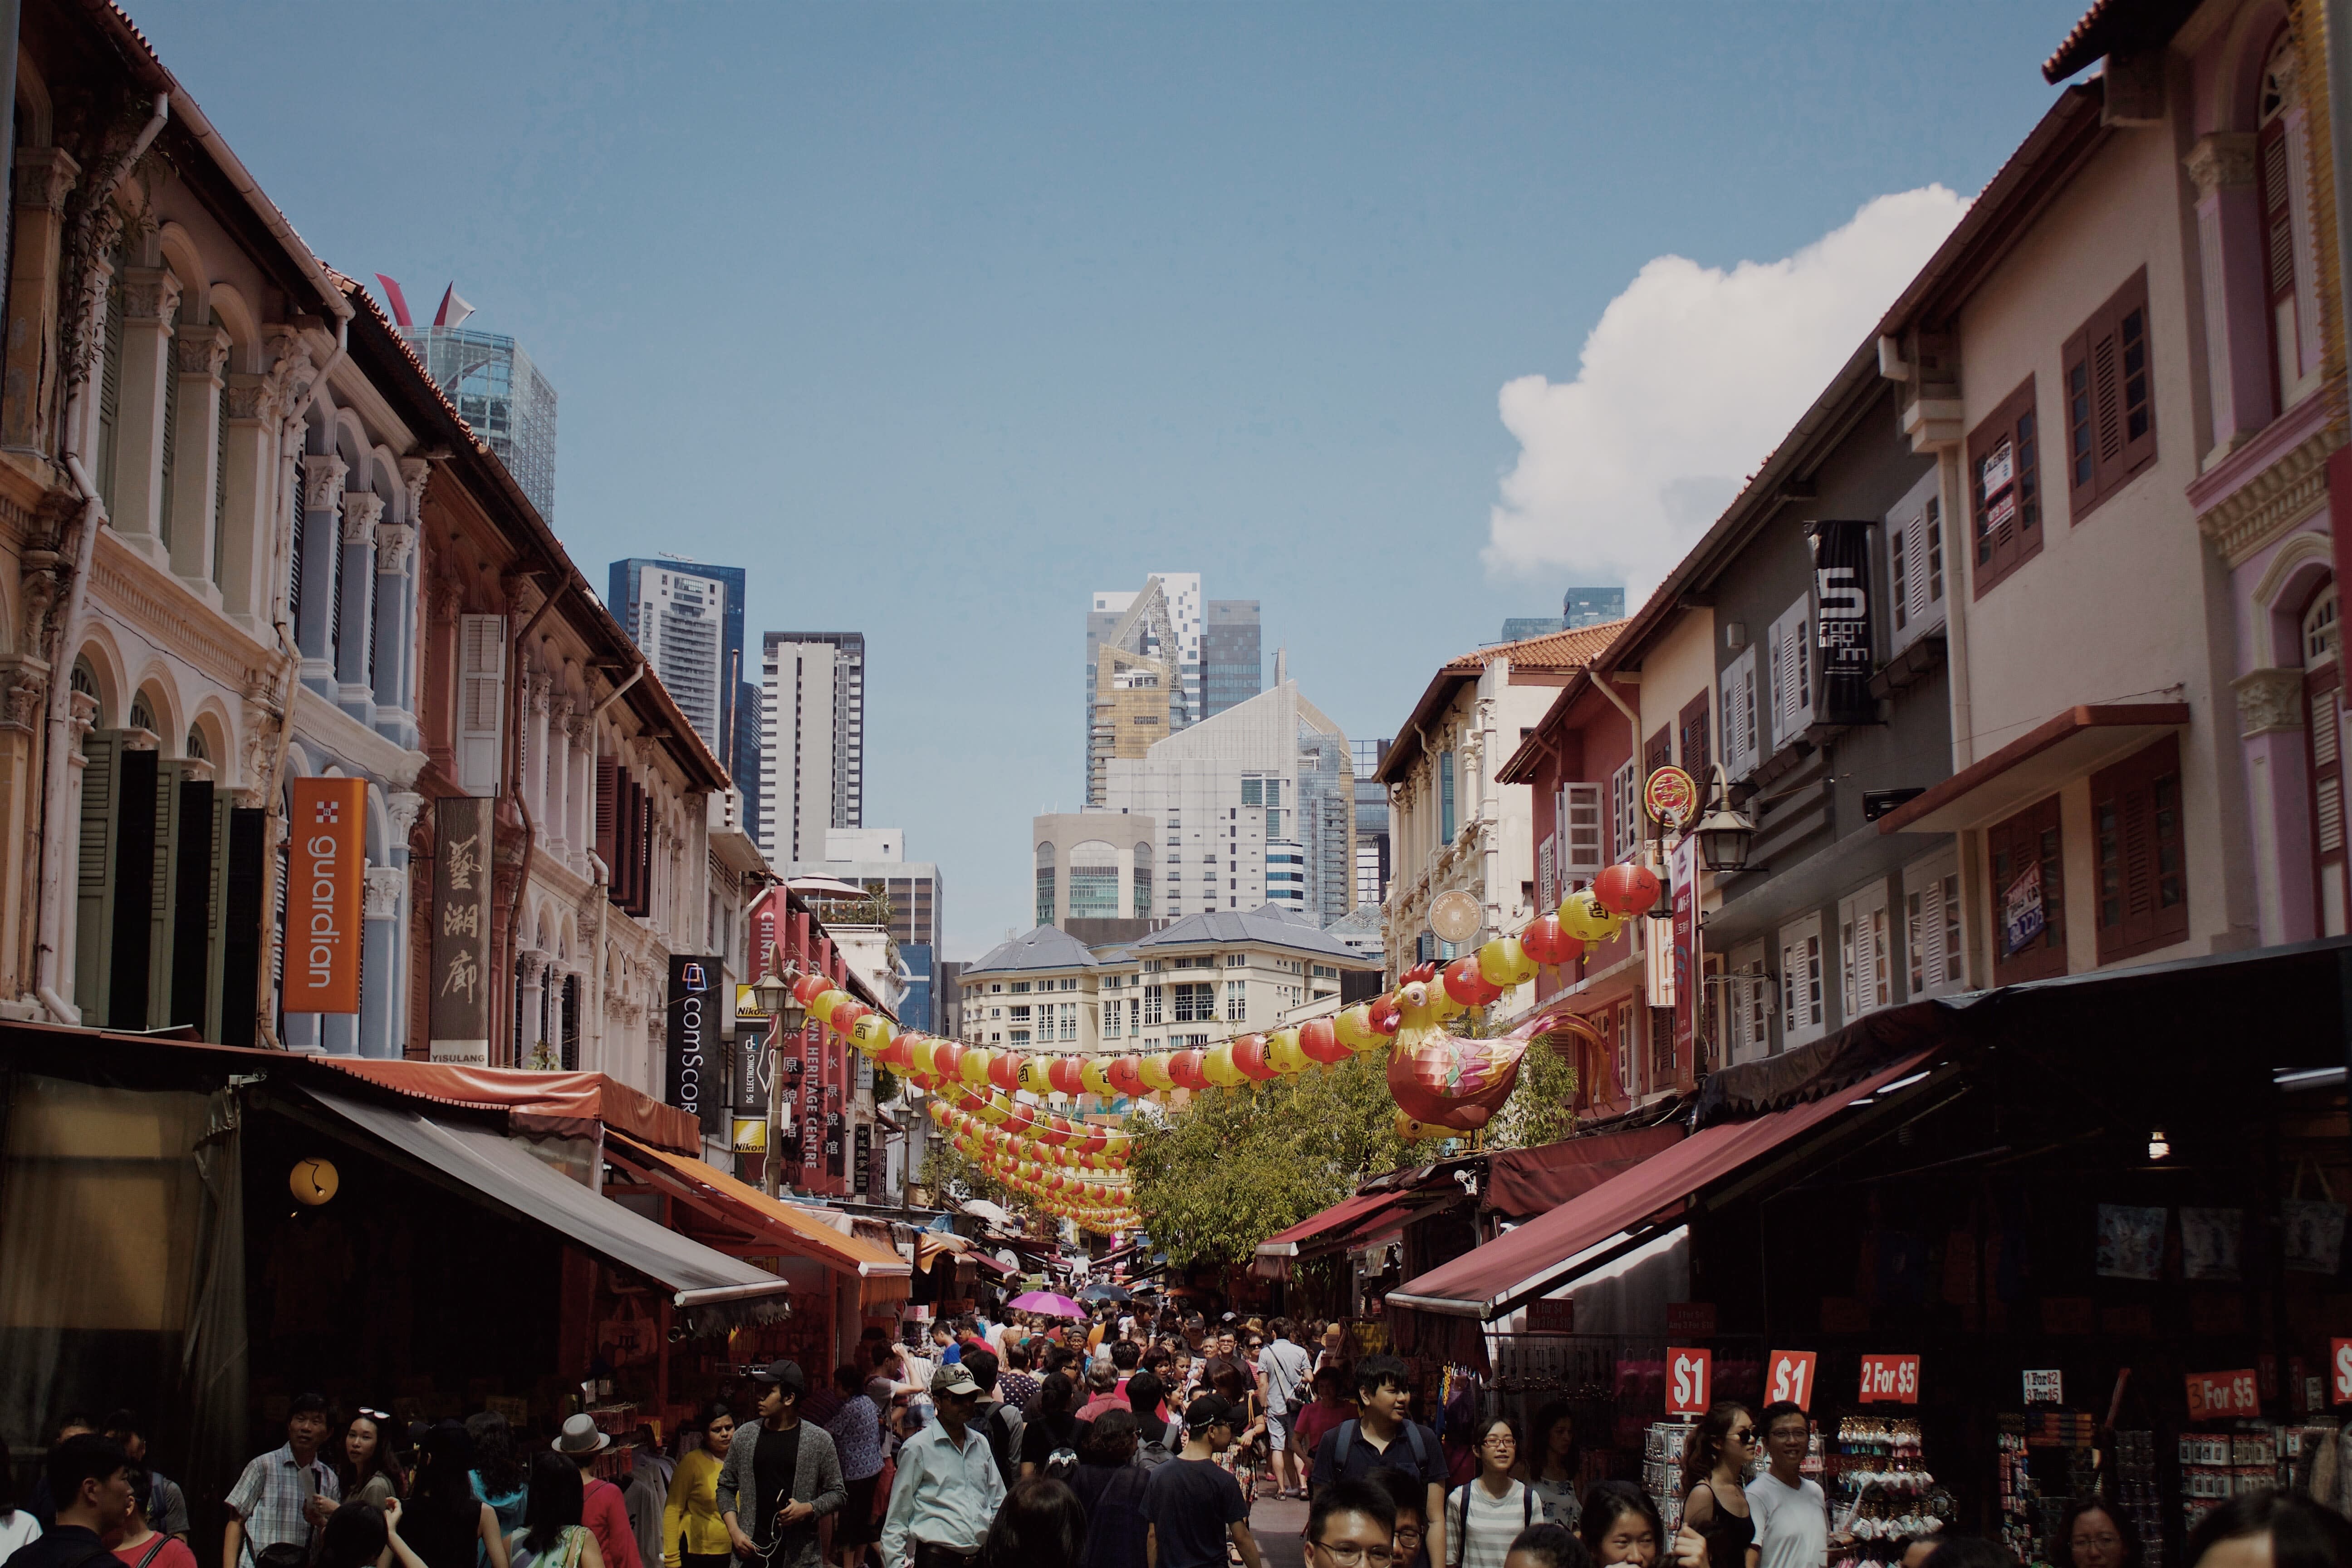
[{"x": 1685, "y": 387}]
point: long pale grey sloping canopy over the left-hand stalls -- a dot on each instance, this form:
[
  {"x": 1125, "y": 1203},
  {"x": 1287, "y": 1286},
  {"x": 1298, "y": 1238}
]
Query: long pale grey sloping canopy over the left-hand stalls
[{"x": 505, "y": 1172}]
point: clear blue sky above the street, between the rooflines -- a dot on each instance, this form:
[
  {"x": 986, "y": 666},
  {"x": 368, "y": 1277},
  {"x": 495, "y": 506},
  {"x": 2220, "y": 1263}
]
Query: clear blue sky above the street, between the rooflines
[{"x": 942, "y": 316}]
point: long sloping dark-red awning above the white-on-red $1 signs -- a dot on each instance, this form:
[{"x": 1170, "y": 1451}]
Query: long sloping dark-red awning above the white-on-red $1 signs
[{"x": 1544, "y": 1254}]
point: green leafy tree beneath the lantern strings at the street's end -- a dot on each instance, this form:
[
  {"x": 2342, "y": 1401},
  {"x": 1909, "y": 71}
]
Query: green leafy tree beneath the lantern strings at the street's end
[{"x": 1241, "y": 1165}]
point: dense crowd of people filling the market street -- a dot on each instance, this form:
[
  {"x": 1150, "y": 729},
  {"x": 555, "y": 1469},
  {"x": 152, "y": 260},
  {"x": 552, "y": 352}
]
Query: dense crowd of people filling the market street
[{"x": 1116, "y": 1442}]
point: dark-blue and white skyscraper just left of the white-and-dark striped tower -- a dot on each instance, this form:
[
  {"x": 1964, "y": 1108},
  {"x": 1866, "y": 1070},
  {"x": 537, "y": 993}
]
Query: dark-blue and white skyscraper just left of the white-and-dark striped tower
[{"x": 688, "y": 617}]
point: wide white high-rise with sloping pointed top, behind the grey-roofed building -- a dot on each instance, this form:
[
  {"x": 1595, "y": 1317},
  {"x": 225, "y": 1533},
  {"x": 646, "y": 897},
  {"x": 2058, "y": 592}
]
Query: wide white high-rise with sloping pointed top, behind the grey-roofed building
[{"x": 1248, "y": 800}]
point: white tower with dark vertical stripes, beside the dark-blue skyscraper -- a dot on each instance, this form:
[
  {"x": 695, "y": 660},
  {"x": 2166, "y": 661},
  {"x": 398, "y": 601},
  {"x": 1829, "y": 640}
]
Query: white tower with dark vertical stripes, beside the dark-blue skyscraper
[{"x": 813, "y": 742}]
